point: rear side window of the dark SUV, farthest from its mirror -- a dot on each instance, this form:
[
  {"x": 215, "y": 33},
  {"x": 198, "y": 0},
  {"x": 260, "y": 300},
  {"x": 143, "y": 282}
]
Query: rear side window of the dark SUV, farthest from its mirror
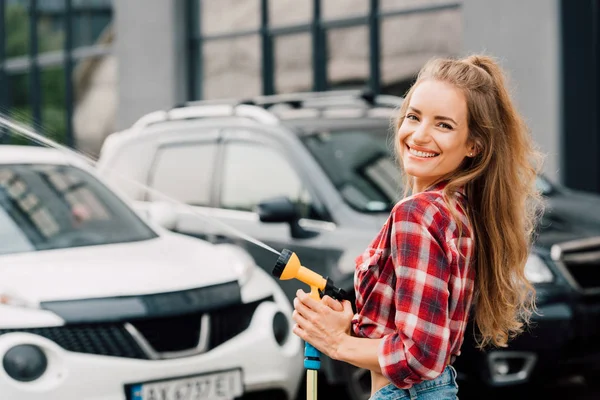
[{"x": 184, "y": 172}]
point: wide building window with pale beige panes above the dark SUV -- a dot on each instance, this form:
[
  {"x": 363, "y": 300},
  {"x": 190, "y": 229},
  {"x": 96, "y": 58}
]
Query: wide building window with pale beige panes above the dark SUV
[{"x": 240, "y": 49}]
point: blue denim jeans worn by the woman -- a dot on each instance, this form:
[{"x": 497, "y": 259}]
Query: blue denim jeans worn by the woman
[{"x": 443, "y": 387}]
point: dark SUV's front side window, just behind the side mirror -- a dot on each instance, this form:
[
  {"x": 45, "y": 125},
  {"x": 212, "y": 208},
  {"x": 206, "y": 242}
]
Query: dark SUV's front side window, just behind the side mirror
[{"x": 253, "y": 172}]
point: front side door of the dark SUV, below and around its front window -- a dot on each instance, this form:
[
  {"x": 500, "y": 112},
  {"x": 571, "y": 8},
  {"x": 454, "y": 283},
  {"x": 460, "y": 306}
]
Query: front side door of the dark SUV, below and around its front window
[{"x": 253, "y": 168}]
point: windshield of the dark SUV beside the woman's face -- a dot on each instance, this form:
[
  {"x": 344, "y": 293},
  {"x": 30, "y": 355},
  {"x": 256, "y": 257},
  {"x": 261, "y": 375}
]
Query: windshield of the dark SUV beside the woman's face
[{"x": 360, "y": 165}]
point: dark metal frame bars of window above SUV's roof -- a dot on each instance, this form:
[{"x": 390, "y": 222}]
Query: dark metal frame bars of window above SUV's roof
[{"x": 317, "y": 28}]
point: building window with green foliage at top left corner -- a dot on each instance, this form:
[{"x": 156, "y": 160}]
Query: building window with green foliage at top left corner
[{"x": 46, "y": 47}]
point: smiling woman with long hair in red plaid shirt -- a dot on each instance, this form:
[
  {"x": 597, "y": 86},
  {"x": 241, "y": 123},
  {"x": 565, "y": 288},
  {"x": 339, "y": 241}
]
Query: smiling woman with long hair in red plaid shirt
[{"x": 461, "y": 238}]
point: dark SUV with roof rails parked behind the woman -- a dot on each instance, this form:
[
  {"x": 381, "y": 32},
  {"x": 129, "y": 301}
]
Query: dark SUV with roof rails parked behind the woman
[{"x": 314, "y": 173}]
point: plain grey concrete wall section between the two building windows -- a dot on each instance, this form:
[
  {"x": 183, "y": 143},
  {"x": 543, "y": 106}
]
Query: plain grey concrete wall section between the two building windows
[{"x": 150, "y": 50}]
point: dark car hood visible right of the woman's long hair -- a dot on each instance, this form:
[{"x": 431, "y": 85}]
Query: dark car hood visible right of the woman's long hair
[{"x": 569, "y": 215}]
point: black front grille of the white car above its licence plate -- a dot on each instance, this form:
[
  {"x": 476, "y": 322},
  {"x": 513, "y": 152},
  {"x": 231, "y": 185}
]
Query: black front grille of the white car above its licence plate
[{"x": 164, "y": 334}]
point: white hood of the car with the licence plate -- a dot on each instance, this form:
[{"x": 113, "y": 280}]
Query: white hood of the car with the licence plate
[{"x": 167, "y": 263}]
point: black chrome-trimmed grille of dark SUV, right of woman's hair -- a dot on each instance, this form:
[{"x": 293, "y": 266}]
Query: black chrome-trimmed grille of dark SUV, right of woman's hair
[{"x": 581, "y": 260}]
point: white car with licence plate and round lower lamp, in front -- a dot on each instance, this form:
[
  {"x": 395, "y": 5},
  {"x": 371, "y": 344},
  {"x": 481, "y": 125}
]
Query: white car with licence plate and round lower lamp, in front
[{"x": 98, "y": 303}]
